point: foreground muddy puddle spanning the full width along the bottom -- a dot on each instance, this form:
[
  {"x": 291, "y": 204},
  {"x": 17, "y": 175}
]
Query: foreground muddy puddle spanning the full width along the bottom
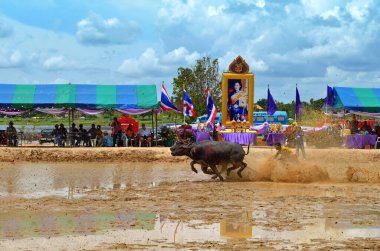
[{"x": 150, "y": 231}]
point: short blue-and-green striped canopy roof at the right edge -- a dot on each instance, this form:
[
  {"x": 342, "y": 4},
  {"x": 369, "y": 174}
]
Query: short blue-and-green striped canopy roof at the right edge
[{"x": 365, "y": 100}]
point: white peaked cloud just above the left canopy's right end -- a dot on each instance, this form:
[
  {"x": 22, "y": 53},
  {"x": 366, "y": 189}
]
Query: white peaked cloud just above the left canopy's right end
[{"x": 146, "y": 64}]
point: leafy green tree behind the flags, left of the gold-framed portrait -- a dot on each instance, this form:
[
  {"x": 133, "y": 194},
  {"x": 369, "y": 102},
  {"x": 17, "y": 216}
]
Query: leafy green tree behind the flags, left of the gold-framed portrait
[{"x": 195, "y": 81}]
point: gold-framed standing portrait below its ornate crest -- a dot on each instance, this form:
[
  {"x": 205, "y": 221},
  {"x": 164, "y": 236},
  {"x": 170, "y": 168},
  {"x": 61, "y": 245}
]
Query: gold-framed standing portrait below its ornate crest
[{"x": 237, "y": 98}]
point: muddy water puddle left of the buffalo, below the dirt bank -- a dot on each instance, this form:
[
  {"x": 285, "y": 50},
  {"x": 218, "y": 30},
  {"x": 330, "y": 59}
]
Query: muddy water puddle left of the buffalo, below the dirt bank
[{"x": 74, "y": 180}]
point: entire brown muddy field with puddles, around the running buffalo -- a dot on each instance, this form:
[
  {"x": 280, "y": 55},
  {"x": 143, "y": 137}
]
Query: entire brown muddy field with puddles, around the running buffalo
[{"x": 144, "y": 199}]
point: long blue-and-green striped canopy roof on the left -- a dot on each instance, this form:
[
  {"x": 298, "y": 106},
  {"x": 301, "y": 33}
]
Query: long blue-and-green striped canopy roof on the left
[{"x": 83, "y": 96}]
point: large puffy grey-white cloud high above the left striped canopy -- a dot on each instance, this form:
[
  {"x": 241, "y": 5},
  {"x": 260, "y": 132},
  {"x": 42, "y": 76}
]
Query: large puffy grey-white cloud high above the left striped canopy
[{"x": 95, "y": 30}]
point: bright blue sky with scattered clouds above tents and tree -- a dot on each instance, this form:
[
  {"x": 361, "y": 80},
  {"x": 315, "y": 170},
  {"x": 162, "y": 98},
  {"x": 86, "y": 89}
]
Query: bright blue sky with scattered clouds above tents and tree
[{"x": 309, "y": 42}]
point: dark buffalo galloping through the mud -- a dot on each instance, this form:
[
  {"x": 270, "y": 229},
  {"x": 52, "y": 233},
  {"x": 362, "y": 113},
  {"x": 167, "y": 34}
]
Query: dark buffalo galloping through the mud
[{"x": 212, "y": 153}]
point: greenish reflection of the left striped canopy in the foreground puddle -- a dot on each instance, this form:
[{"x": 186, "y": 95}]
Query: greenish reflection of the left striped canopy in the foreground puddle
[{"x": 23, "y": 224}]
